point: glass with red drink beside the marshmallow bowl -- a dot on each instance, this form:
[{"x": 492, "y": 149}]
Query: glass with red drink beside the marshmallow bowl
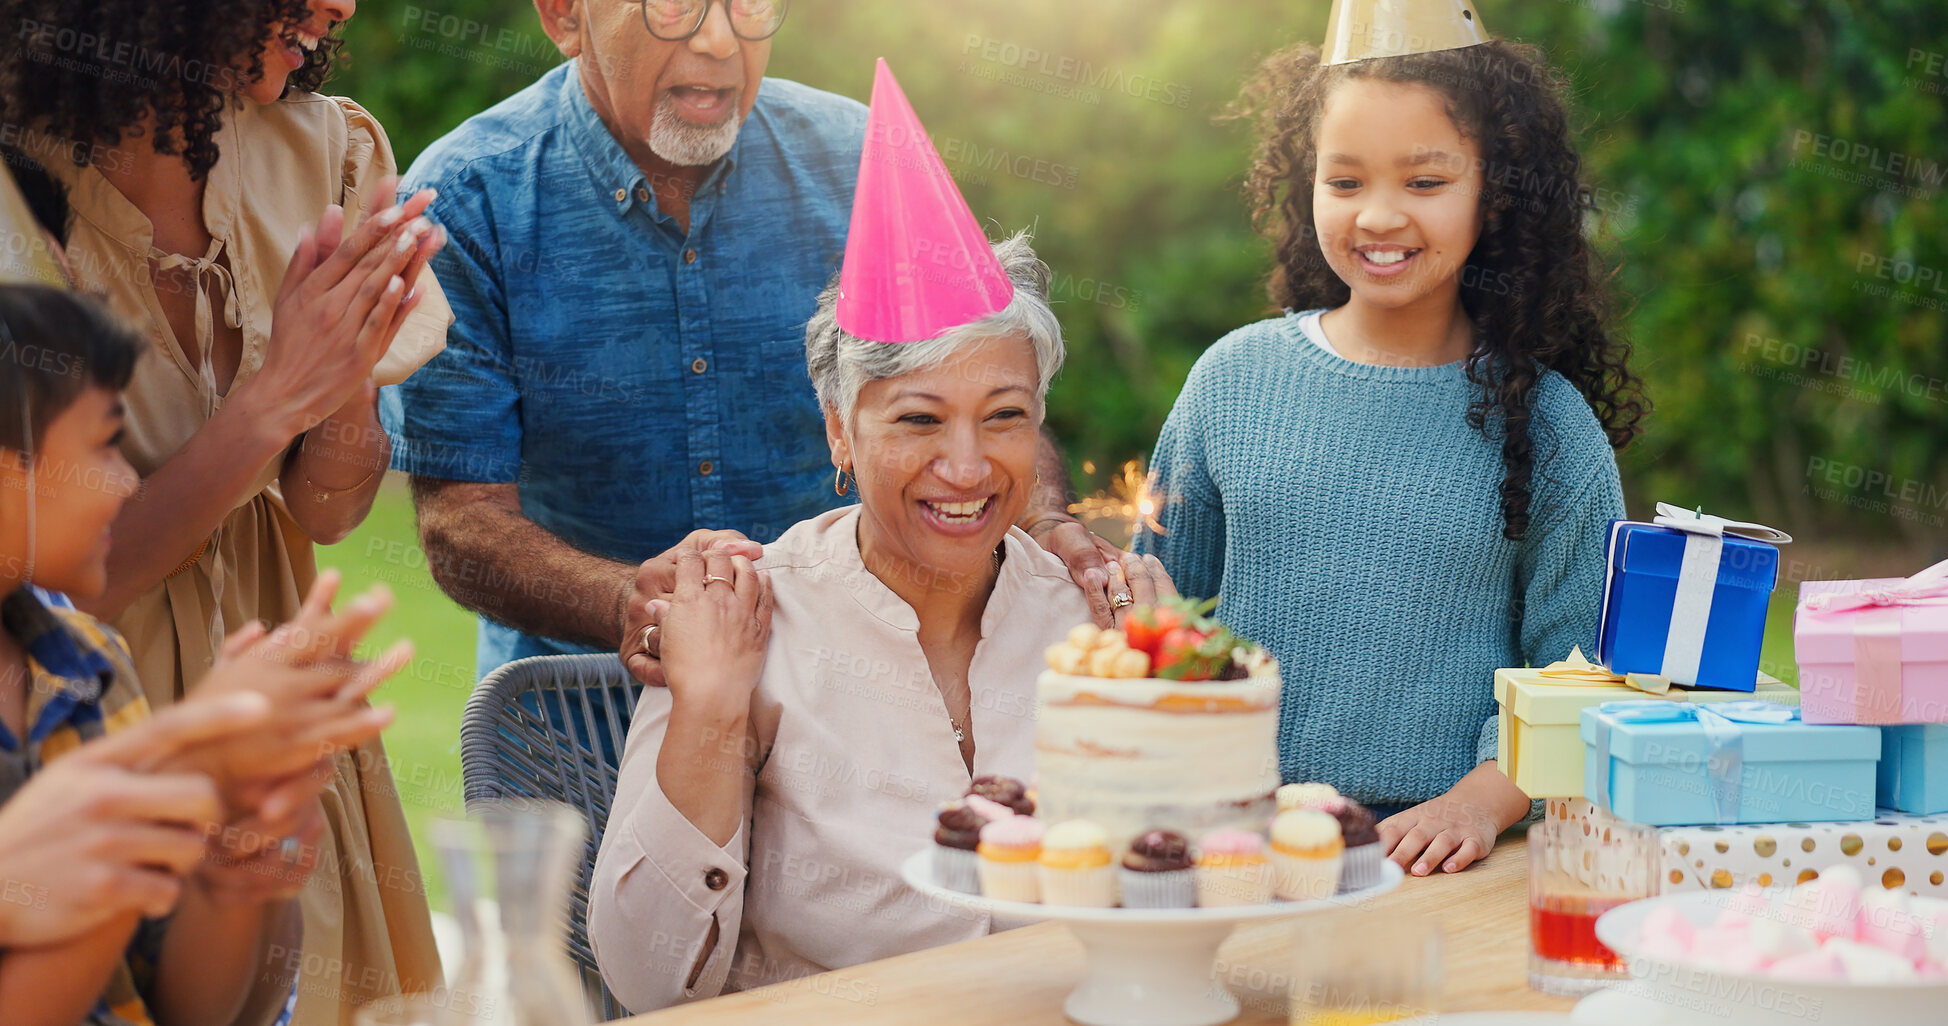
[{"x": 1577, "y": 873}]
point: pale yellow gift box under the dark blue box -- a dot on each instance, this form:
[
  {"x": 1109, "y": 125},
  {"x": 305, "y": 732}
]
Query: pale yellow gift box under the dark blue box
[{"x": 1542, "y": 708}]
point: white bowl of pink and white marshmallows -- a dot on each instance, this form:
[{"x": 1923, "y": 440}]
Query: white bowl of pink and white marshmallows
[{"x": 1824, "y": 951}]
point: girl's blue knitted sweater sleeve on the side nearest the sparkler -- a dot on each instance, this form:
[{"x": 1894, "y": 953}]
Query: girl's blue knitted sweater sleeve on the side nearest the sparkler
[{"x": 1191, "y": 544}]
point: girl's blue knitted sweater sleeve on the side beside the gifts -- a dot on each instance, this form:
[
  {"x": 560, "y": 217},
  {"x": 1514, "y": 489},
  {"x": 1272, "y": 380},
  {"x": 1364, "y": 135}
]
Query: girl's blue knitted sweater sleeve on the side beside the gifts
[{"x": 1561, "y": 573}]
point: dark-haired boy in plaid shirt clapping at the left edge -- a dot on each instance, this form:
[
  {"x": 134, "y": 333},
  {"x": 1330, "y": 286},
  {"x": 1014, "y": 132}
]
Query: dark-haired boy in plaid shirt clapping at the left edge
[{"x": 147, "y": 865}]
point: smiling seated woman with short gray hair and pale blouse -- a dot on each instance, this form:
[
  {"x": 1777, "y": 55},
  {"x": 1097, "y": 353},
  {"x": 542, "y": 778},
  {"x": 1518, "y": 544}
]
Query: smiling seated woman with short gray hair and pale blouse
[{"x": 825, "y": 700}]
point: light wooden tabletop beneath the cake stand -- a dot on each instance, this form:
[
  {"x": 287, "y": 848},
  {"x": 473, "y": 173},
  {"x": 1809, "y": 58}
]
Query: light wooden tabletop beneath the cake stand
[{"x": 1024, "y": 976}]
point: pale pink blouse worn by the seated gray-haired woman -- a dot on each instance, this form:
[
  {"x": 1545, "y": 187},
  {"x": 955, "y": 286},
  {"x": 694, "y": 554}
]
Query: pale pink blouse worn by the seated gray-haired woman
[{"x": 852, "y": 758}]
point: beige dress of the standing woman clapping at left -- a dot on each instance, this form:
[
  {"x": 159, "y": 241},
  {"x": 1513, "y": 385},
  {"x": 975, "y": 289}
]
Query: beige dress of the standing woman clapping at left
[{"x": 367, "y": 932}]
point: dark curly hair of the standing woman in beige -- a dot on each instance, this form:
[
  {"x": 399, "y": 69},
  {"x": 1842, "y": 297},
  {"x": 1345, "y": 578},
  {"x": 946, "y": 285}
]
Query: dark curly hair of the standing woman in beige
[{"x": 94, "y": 73}]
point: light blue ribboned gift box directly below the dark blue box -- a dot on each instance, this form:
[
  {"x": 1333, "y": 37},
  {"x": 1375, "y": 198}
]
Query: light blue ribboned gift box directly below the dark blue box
[{"x": 1742, "y": 762}]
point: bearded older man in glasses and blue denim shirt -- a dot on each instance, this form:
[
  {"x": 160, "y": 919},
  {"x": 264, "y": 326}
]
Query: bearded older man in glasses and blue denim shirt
[{"x": 636, "y": 244}]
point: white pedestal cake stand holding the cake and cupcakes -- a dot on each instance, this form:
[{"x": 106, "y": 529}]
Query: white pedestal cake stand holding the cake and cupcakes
[{"x": 1146, "y": 967}]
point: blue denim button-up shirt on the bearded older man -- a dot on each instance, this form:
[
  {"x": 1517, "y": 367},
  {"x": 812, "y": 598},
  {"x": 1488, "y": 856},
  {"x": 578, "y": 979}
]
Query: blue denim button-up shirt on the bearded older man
[{"x": 636, "y": 381}]
